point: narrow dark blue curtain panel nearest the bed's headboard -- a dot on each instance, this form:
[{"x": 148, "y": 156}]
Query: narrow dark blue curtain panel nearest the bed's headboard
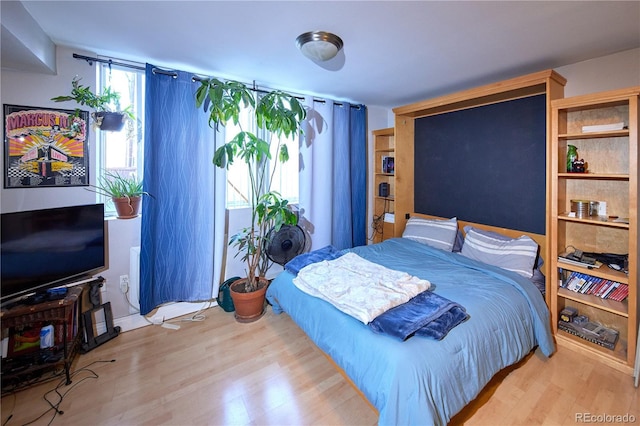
[{"x": 349, "y": 176}]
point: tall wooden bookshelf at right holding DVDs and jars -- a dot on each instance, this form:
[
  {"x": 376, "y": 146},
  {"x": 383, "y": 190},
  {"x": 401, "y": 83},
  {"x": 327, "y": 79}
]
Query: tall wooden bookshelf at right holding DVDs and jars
[{"x": 612, "y": 177}]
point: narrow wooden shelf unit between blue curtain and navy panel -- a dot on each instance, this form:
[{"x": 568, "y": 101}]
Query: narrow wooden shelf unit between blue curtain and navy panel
[{"x": 383, "y": 146}]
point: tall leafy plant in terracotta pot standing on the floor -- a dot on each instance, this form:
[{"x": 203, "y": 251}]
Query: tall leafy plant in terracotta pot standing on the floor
[{"x": 277, "y": 114}]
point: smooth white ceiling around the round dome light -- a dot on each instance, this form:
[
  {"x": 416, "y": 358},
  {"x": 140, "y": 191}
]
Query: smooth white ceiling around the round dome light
[{"x": 395, "y": 52}]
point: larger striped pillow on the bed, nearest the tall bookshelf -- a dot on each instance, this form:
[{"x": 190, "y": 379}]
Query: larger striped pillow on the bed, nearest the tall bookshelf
[{"x": 517, "y": 255}]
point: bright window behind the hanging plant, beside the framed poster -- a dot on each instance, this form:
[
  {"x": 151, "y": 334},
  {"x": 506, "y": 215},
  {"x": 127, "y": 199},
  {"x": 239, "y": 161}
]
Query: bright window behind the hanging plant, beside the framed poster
[{"x": 121, "y": 152}]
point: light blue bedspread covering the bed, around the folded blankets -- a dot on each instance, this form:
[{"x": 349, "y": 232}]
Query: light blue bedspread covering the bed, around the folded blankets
[{"x": 421, "y": 380}]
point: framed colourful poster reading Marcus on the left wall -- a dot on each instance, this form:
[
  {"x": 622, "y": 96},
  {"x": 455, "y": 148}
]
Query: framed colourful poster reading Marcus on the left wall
[{"x": 45, "y": 147}]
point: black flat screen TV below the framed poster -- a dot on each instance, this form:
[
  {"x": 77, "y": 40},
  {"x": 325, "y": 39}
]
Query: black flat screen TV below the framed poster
[{"x": 42, "y": 249}]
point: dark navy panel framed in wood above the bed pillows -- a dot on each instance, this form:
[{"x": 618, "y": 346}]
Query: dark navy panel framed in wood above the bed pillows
[{"x": 485, "y": 164}]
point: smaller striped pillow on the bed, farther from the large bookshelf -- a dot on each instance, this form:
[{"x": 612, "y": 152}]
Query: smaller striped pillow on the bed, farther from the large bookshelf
[{"x": 438, "y": 233}]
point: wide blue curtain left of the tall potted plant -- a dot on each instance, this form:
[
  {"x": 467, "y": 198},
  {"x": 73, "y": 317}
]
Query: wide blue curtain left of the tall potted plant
[{"x": 177, "y": 242}]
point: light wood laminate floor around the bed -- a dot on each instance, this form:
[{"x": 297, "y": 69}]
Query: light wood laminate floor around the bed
[{"x": 220, "y": 372}]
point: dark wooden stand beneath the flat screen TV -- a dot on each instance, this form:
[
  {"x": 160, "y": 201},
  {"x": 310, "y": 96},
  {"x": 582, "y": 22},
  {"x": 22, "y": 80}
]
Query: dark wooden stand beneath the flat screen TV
[{"x": 28, "y": 367}]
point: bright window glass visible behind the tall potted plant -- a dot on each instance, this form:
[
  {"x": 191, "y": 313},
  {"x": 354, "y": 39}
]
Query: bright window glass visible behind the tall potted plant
[{"x": 285, "y": 179}]
